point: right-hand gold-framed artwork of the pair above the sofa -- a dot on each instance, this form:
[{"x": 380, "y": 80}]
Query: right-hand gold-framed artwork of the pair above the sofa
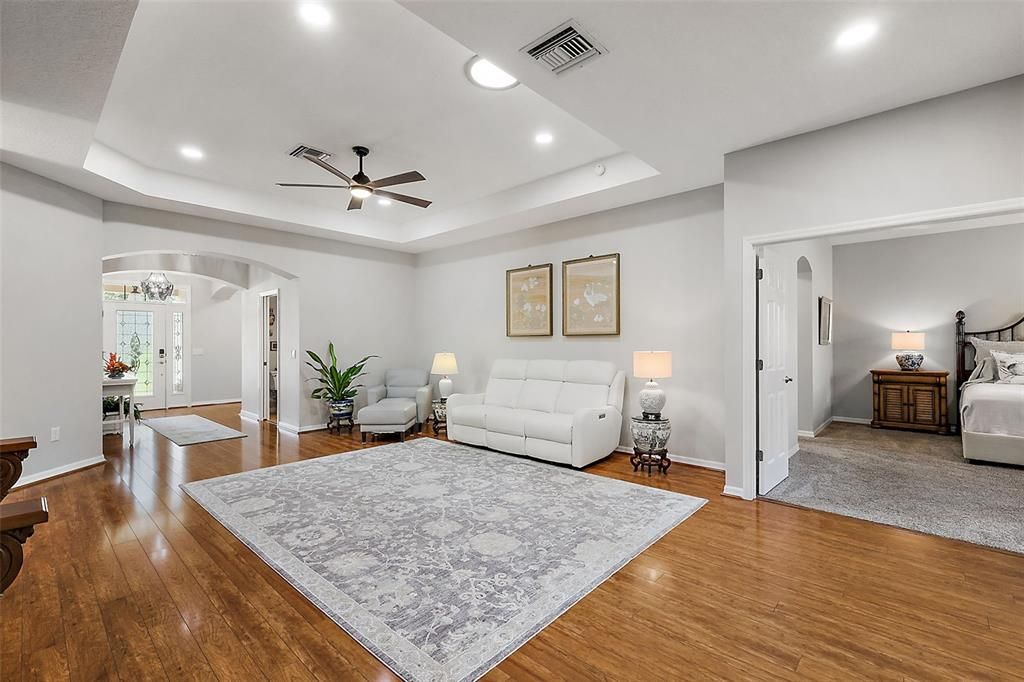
[{"x": 590, "y": 296}]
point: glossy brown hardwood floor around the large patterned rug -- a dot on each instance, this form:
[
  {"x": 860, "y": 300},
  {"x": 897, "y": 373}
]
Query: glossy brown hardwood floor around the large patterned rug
[{"x": 131, "y": 580}]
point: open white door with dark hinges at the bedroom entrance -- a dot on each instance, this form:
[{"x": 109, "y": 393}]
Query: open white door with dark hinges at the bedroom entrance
[{"x": 774, "y": 406}]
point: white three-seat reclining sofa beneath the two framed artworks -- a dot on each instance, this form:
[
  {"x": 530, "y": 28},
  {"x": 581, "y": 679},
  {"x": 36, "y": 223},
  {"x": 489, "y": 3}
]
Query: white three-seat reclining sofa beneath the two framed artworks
[{"x": 570, "y": 412}]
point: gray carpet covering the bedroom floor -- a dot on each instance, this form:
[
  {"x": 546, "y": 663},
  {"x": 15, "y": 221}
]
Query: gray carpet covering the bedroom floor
[{"x": 912, "y": 481}]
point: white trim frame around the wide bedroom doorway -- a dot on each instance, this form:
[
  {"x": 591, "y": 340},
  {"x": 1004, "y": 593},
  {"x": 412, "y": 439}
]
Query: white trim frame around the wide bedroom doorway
[{"x": 750, "y": 390}]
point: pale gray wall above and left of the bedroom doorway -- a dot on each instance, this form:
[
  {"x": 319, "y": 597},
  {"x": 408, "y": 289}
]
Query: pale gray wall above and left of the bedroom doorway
[{"x": 964, "y": 149}]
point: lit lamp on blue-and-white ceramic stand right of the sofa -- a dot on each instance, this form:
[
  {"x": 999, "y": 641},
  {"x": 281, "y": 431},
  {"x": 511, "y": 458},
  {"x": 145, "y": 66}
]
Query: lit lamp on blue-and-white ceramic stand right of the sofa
[{"x": 651, "y": 432}]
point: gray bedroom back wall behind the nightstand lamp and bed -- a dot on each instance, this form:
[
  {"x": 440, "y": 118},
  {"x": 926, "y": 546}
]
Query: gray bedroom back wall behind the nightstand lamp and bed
[{"x": 918, "y": 284}]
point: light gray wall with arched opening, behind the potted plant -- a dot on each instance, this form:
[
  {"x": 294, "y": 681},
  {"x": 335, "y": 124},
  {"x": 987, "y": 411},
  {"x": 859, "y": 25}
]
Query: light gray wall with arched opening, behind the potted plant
[{"x": 360, "y": 297}]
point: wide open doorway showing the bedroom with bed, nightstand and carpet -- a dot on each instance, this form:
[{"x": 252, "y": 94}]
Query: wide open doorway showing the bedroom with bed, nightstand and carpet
[{"x": 843, "y": 429}]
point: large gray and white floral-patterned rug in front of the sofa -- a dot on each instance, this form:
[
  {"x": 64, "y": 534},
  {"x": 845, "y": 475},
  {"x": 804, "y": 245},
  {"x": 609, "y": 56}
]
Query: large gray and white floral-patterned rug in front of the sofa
[{"x": 441, "y": 560}]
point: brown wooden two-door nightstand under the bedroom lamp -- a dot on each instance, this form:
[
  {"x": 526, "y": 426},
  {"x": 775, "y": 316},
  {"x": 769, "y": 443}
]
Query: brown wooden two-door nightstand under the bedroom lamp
[{"x": 911, "y": 401}]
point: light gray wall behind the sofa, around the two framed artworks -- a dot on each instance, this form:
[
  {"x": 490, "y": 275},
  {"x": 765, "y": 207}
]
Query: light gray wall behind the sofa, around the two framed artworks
[{"x": 671, "y": 301}]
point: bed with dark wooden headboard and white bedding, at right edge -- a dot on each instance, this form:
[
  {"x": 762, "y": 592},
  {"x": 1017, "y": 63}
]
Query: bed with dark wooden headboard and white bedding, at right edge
[{"x": 991, "y": 410}]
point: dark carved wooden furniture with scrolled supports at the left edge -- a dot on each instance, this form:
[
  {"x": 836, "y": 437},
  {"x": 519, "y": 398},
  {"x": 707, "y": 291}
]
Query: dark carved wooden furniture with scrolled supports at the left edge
[{"x": 19, "y": 520}]
